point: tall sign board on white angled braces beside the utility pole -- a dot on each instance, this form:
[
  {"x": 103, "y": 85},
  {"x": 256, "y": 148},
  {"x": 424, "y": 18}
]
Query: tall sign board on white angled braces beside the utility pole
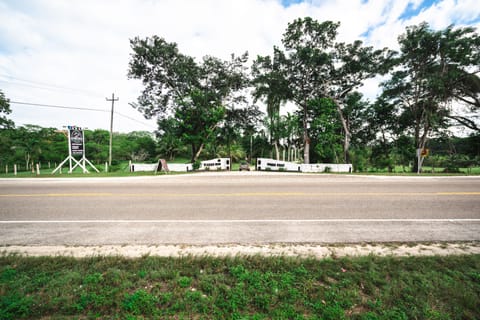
[{"x": 76, "y": 147}]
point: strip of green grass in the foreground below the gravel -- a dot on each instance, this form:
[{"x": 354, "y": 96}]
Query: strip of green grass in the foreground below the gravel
[{"x": 240, "y": 288}]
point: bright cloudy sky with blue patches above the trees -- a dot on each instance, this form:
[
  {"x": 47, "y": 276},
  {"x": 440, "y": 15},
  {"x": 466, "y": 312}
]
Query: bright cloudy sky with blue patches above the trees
[{"x": 60, "y": 60}]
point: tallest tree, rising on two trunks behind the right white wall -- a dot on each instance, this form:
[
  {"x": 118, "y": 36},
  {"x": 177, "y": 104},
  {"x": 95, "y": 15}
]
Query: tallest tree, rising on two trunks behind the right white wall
[{"x": 319, "y": 67}]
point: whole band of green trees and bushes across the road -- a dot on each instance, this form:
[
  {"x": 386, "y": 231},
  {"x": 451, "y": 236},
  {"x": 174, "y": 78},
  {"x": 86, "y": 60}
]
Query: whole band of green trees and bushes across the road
[{"x": 207, "y": 108}]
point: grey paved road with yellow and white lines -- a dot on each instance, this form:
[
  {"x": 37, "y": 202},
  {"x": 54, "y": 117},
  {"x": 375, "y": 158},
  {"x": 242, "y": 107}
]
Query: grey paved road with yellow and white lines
[{"x": 238, "y": 208}]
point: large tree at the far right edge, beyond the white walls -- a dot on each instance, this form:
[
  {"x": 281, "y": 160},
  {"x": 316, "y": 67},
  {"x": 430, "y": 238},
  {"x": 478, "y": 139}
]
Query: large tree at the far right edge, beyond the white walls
[{"x": 432, "y": 70}]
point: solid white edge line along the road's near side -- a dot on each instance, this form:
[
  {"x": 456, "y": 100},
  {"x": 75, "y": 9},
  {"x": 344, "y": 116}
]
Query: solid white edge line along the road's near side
[{"x": 229, "y": 221}]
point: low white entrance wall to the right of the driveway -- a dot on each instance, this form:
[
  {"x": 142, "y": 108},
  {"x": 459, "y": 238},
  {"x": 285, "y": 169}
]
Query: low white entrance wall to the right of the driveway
[{"x": 265, "y": 164}]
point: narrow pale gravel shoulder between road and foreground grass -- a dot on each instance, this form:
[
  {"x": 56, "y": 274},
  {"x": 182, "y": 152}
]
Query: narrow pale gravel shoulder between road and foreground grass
[{"x": 318, "y": 251}]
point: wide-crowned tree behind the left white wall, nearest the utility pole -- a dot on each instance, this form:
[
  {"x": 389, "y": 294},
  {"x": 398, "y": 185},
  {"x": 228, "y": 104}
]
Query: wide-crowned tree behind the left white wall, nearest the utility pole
[{"x": 177, "y": 86}]
